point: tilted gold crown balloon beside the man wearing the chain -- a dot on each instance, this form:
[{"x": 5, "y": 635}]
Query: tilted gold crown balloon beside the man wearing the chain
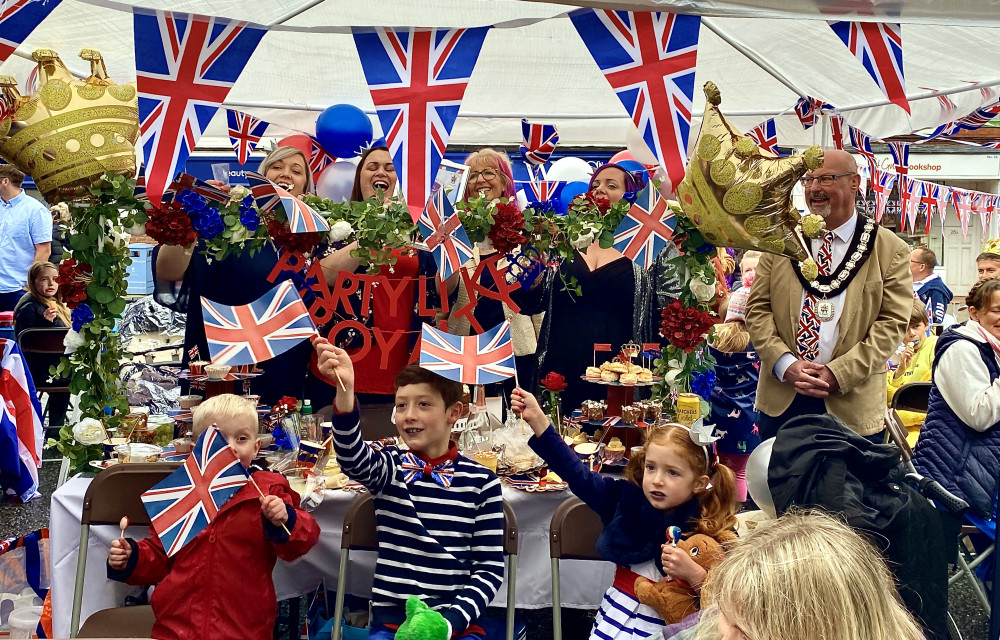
[{"x": 739, "y": 195}]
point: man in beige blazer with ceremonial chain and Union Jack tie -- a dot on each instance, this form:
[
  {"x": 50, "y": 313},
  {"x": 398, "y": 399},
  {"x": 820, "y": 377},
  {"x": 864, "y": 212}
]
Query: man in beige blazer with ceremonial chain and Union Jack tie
[{"x": 824, "y": 343}]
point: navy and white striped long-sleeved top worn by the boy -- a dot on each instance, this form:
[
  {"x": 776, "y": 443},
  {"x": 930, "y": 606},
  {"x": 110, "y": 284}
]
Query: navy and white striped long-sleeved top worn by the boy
[{"x": 442, "y": 544}]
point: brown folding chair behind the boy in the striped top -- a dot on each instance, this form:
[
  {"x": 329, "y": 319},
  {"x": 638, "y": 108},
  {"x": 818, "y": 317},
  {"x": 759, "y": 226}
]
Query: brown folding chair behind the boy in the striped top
[{"x": 360, "y": 535}]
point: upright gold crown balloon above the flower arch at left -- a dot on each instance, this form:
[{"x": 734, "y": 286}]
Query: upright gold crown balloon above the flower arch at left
[{"x": 70, "y": 131}]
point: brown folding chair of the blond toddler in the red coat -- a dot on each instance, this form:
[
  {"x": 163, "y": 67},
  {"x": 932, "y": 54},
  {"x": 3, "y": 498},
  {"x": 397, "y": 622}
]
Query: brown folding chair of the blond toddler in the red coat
[{"x": 115, "y": 492}]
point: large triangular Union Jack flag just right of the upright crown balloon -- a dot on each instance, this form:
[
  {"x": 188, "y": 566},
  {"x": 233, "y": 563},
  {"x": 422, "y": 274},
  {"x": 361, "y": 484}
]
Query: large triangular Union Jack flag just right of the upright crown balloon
[{"x": 185, "y": 66}]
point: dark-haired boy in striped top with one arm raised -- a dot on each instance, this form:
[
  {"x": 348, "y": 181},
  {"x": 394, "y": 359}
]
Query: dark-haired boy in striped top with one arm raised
[{"x": 438, "y": 514}]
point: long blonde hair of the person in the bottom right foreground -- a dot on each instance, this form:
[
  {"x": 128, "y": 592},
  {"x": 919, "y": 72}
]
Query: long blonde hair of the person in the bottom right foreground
[{"x": 806, "y": 576}]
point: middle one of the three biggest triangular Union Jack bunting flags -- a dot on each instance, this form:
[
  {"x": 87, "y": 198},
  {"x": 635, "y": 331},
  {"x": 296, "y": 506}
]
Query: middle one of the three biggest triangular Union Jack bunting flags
[{"x": 417, "y": 79}]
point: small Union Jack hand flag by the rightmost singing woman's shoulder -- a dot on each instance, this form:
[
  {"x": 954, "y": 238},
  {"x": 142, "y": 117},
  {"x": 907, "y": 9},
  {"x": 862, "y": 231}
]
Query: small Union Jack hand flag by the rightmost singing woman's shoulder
[{"x": 646, "y": 229}]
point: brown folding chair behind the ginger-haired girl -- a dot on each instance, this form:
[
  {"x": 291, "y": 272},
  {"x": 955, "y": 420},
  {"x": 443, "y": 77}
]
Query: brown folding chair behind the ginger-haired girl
[{"x": 573, "y": 535}]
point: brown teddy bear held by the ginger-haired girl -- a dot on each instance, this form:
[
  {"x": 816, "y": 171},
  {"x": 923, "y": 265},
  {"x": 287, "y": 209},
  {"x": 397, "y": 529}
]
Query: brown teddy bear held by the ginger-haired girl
[{"x": 674, "y": 599}]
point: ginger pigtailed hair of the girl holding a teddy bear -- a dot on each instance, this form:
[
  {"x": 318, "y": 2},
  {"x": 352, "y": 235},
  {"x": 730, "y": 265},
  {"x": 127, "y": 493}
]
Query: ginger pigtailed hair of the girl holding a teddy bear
[{"x": 717, "y": 503}]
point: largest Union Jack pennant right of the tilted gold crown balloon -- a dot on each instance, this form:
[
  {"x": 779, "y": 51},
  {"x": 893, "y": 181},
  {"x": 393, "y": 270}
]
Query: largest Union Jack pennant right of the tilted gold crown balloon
[{"x": 879, "y": 48}]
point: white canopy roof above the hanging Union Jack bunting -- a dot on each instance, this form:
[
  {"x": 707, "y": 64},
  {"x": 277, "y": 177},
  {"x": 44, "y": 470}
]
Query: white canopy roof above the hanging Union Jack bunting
[{"x": 763, "y": 54}]
